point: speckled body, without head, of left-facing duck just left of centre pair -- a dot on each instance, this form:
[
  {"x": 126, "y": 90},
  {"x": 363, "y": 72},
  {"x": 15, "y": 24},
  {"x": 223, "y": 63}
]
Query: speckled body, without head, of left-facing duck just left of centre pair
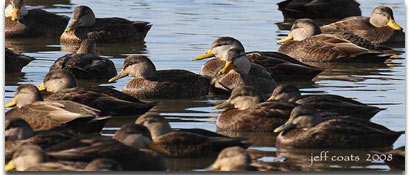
[{"x": 169, "y": 84}]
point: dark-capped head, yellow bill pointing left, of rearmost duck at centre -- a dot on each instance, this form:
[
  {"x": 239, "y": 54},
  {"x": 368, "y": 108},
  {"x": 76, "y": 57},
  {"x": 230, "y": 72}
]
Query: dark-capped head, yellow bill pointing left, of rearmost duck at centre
[{"x": 219, "y": 48}]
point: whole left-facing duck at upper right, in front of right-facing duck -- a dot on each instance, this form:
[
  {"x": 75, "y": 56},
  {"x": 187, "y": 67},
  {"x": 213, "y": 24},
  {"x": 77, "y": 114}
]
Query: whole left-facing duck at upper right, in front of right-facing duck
[{"x": 306, "y": 43}]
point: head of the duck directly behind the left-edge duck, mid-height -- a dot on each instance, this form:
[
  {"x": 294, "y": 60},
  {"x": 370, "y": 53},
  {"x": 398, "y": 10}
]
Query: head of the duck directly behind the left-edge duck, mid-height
[{"x": 57, "y": 80}]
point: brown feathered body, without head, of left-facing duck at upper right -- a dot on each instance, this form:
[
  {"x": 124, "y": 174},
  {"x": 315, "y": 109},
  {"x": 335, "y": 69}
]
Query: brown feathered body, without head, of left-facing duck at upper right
[{"x": 328, "y": 48}]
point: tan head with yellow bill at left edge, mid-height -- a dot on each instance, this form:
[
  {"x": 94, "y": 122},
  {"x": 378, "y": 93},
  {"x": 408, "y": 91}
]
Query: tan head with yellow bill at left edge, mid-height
[{"x": 25, "y": 95}]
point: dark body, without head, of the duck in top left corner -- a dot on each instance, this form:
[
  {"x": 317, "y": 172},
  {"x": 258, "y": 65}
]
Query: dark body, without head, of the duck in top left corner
[{"x": 36, "y": 23}]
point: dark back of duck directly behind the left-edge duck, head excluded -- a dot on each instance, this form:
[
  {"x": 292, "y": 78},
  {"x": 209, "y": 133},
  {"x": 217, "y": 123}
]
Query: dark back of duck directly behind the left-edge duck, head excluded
[{"x": 107, "y": 104}]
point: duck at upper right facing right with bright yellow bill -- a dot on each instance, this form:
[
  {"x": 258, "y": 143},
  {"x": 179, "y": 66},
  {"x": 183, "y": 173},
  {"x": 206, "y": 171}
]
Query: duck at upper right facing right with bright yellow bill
[{"x": 380, "y": 28}]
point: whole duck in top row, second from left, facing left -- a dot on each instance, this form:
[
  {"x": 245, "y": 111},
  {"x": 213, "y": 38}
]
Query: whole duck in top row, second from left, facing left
[{"x": 84, "y": 25}]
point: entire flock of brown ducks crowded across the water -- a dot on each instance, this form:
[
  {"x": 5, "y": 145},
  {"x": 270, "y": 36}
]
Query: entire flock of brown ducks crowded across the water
[{"x": 55, "y": 126}]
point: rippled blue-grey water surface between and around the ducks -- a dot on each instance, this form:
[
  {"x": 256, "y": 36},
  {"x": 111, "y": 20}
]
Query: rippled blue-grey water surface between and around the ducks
[{"x": 184, "y": 29}]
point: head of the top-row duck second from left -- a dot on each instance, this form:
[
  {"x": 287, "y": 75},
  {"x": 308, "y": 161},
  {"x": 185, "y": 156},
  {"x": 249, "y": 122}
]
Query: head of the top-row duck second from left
[{"x": 82, "y": 16}]
